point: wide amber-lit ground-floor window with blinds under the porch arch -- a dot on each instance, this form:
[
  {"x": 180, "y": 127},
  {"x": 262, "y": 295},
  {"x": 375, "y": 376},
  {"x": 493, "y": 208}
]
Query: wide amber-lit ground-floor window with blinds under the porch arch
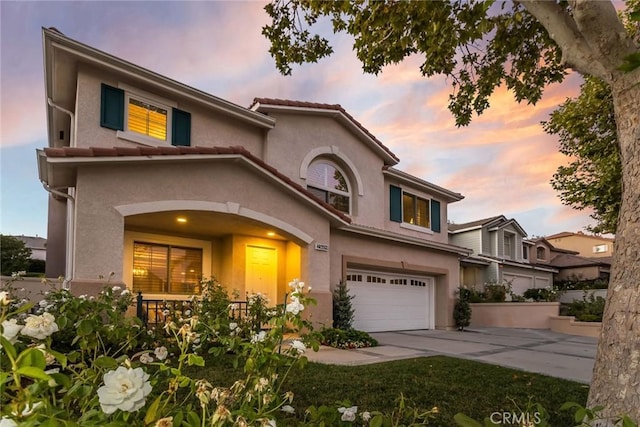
[{"x": 166, "y": 269}]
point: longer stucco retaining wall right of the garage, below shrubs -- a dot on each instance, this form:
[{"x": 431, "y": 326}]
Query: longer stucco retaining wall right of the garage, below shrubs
[{"x": 529, "y": 315}]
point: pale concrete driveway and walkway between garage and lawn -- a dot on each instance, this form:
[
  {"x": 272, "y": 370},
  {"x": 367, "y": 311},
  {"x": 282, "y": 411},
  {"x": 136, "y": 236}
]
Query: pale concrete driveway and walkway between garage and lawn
[{"x": 541, "y": 351}]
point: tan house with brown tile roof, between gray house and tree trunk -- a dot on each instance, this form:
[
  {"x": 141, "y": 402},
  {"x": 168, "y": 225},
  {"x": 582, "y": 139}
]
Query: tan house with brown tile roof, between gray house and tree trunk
[{"x": 569, "y": 264}]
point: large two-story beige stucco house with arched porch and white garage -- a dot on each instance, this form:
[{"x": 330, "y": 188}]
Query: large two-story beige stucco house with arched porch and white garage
[{"x": 162, "y": 184}]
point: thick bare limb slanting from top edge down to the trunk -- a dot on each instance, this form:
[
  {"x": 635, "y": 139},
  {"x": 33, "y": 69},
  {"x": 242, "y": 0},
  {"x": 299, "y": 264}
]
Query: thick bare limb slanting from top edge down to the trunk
[{"x": 576, "y": 51}]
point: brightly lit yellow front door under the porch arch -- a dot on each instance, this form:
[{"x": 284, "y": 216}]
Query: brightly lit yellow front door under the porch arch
[{"x": 261, "y": 272}]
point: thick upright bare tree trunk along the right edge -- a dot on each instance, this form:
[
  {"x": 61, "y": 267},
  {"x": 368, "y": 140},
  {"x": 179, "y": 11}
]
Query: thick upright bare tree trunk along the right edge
[{"x": 616, "y": 377}]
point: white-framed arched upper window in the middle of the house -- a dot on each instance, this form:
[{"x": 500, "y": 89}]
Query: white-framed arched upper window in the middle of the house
[{"x": 329, "y": 183}]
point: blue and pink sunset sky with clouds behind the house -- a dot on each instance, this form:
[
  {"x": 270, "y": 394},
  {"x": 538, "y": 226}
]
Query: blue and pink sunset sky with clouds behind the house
[{"x": 502, "y": 163}]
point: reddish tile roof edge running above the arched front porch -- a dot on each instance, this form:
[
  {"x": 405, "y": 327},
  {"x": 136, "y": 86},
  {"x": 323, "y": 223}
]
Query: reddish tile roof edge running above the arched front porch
[{"x": 144, "y": 151}]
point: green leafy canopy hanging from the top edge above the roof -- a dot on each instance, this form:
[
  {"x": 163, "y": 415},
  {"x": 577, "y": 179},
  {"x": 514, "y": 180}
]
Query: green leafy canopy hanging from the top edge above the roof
[{"x": 478, "y": 45}]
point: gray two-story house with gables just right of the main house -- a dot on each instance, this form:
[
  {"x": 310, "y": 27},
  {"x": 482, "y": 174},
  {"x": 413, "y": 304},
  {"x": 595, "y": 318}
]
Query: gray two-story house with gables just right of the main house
[{"x": 500, "y": 253}]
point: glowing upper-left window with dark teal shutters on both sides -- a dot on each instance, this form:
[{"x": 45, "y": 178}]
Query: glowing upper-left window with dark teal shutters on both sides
[{"x": 143, "y": 118}]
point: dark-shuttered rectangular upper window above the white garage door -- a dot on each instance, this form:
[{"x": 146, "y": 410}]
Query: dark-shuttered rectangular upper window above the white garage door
[{"x": 413, "y": 211}]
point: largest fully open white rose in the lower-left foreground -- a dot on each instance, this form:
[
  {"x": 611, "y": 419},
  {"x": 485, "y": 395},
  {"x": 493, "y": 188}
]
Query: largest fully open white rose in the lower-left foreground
[{"x": 124, "y": 389}]
